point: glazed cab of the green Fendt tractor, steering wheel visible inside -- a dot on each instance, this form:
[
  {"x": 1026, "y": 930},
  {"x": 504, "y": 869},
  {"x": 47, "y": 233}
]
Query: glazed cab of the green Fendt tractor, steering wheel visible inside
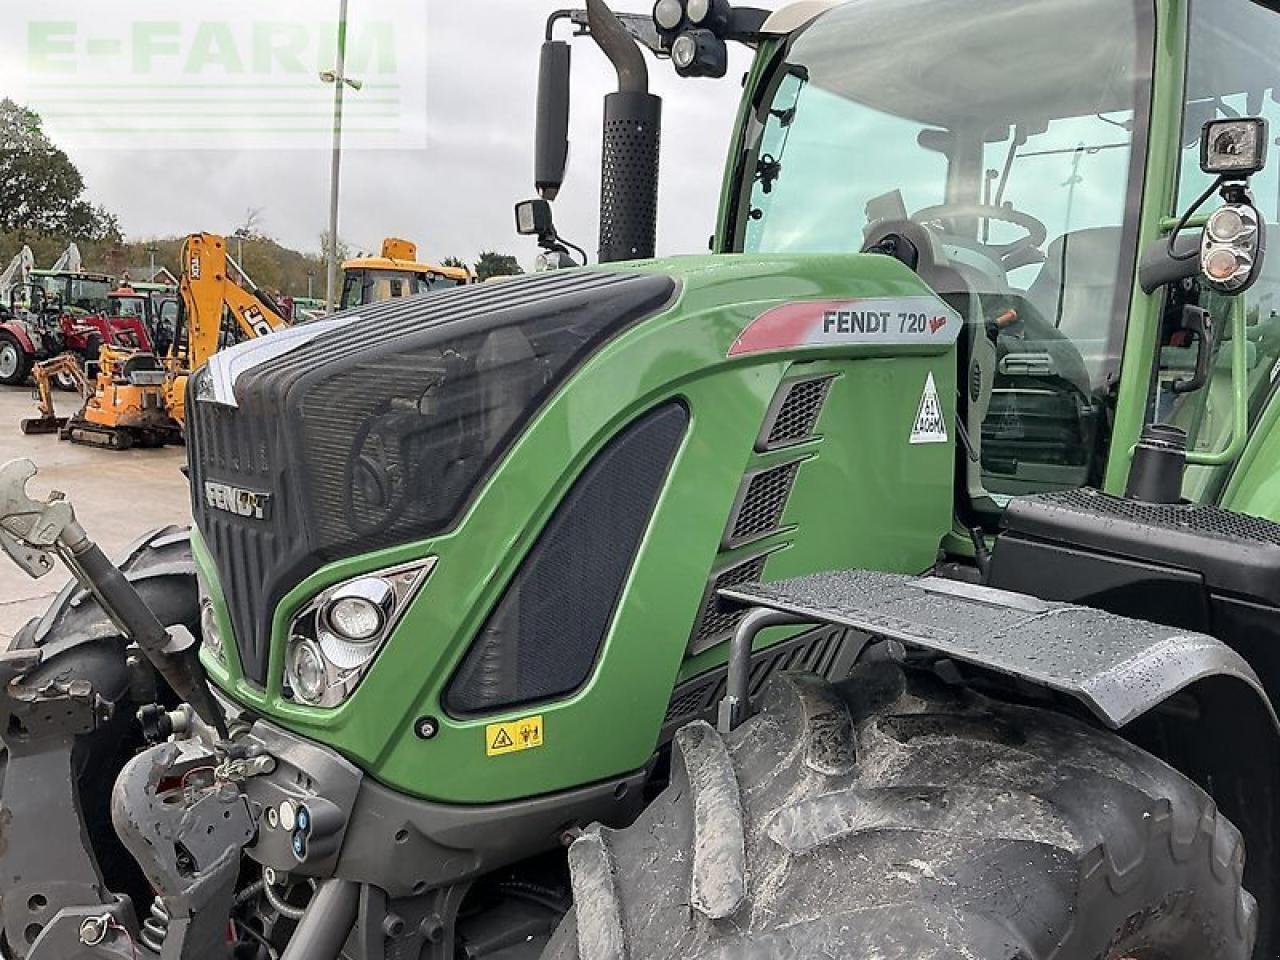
[{"x": 1021, "y": 186}]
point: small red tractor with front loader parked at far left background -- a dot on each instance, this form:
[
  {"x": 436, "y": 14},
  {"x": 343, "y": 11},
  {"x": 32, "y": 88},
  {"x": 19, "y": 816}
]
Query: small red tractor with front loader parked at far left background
[{"x": 63, "y": 313}]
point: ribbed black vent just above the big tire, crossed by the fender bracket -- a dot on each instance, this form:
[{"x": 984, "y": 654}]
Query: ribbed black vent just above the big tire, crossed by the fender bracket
[{"x": 829, "y": 652}]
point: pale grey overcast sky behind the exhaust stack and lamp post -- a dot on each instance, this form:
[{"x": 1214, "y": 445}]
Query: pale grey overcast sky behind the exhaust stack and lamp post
[{"x": 449, "y": 185}]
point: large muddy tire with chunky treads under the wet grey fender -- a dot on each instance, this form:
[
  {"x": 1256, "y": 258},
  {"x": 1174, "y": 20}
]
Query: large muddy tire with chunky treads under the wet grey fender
[{"x": 894, "y": 819}]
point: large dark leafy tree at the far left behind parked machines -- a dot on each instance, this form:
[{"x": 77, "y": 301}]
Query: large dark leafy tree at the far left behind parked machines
[{"x": 40, "y": 189}]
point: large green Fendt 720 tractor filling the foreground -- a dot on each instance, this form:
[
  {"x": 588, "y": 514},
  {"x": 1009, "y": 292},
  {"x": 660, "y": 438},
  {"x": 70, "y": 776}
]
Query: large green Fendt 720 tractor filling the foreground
[{"x": 902, "y": 580}]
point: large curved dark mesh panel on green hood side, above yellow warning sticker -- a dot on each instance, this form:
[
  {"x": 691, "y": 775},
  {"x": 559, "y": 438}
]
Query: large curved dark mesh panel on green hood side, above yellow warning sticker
[{"x": 543, "y": 638}]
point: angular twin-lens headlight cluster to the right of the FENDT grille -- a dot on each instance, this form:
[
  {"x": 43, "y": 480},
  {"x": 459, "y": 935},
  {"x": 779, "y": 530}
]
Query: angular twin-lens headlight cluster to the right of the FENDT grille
[{"x": 336, "y": 638}]
